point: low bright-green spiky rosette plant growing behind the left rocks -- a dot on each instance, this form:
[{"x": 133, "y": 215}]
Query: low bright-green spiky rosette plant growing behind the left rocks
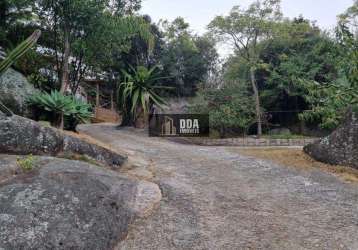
[{"x": 62, "y": 106}]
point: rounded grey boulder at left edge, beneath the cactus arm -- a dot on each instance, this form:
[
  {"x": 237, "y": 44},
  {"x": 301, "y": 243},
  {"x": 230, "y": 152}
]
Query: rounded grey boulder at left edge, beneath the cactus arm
[{"x": 14, "y": 89}]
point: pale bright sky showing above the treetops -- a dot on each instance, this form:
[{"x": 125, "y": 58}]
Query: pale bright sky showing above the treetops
[{"x": 199, "y": 13}]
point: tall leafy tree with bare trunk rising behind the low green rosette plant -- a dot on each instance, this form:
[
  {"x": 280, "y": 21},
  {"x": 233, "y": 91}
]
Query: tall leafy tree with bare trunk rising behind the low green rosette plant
[{"x": 68, "y": 22}]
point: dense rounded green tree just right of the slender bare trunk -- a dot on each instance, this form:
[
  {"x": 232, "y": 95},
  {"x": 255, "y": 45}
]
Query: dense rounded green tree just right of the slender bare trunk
[{"x": 300, "y": 53}]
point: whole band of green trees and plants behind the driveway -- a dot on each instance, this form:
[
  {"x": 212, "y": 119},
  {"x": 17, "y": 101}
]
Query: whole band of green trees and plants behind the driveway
[{"x": 282, "y": 73}]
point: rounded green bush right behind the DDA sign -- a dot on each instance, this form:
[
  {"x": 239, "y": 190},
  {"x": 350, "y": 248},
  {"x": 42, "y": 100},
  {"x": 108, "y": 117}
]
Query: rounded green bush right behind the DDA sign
[{"x": 230, "y": 109}]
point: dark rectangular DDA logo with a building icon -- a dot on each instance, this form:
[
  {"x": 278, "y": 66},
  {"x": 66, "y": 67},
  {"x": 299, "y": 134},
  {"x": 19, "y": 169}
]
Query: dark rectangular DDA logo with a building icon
[{"x": 179, "y": 125}]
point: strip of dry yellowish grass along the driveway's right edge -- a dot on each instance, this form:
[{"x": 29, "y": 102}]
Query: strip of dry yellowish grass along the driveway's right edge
[{"x": 298, "y": 159}]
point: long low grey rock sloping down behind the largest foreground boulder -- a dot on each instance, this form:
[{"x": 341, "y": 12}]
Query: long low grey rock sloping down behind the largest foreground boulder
[{"x": 20, "y": 135}]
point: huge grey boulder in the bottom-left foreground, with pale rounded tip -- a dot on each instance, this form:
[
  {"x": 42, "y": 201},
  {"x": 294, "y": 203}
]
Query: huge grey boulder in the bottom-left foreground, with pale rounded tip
[{"x": 63, "y": 204}]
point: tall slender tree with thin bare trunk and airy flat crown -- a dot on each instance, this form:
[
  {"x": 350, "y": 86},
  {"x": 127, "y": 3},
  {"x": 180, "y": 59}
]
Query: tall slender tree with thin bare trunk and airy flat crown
[{"x": 246, "y": 28}]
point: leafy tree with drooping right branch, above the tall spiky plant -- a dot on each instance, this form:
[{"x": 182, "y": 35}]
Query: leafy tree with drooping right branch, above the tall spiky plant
[{"x": 102, "y": 52}]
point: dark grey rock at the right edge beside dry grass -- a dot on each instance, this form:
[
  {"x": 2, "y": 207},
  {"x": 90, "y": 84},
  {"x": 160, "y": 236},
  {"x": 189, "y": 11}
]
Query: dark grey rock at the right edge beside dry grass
[{"x": 339, "y": 148}]
